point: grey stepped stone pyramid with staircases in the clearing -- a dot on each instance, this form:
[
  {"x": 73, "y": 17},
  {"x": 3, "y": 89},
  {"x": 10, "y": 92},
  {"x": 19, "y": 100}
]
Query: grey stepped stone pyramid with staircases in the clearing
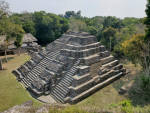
[{"x": 70, "y": 69}]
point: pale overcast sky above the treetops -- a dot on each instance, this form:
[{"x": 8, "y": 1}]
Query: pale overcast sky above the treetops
[{"x": 89, "y": 8}]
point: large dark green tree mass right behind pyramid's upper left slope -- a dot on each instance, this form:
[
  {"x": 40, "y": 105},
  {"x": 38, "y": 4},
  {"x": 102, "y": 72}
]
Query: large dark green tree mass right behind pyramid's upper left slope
[{"x": 48, "y": 26}]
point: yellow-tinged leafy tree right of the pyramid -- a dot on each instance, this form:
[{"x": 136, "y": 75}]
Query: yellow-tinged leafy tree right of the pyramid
[{"x": 136, "y": 49}]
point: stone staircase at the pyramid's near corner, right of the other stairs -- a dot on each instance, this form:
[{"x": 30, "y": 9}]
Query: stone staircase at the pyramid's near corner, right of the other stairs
[{"x": 62, "y": 88}]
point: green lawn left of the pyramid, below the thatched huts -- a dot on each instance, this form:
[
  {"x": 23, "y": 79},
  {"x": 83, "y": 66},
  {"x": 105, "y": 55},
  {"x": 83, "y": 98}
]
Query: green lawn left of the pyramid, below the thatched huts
[{"x": 11, "y": 92}]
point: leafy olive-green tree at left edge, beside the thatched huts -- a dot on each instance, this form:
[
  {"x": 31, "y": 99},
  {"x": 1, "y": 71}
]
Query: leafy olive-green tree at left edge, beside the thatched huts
[{"x": 8, "y": 28}]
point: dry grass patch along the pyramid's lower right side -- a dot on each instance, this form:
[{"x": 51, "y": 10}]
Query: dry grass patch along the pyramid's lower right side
[{"x": 101, "y": 99}]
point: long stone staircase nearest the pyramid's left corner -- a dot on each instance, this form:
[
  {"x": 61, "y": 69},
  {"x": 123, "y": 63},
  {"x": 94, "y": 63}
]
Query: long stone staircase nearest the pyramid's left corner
[{"x": 38, "y": 69}]
